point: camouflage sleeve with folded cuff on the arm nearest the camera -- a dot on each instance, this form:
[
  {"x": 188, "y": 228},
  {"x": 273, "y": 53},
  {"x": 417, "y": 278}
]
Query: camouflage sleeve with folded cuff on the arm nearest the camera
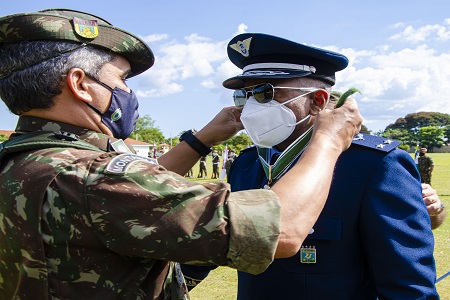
[{"x": 145, "y": 211}]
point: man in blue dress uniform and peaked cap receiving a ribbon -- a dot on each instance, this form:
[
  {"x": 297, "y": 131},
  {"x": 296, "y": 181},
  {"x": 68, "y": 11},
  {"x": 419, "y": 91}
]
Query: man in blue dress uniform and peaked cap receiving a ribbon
[{"x": 373, "y": 238}]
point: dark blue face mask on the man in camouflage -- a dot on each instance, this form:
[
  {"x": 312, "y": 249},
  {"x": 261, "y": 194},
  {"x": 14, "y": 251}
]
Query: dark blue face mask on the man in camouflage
[{"x": 122, "y": 114}]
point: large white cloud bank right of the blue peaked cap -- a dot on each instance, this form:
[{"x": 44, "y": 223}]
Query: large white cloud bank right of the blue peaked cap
[{"x": 397, "y": 83}]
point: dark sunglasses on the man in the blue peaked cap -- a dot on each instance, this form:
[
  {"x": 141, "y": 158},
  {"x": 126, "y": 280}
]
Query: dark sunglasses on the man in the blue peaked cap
[{"x": 263, "y": 93}]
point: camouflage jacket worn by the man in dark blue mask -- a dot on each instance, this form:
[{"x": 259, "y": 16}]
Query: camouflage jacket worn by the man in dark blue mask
[{"x": 82, "y": 224}]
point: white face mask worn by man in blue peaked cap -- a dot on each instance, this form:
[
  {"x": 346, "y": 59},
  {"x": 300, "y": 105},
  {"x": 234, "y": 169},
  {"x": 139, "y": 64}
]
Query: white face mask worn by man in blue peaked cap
[{"x": 269, "y": 124}]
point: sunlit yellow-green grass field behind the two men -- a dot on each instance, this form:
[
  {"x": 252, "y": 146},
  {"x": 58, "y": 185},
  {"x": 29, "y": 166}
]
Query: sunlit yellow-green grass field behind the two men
[{"x": 222, "y": 282}]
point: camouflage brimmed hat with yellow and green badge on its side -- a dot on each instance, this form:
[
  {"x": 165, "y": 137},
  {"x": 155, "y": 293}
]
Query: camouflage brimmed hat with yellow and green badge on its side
[{"x": 75, "y": 26}]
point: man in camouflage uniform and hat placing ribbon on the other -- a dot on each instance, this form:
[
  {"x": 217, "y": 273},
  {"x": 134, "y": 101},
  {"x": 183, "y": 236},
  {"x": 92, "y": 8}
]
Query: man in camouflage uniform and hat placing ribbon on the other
[{"x": 83, "y": 217}]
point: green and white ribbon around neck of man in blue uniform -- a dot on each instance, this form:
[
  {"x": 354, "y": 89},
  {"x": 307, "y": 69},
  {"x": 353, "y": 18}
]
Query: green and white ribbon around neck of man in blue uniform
[{"x": 286, "y": 158}]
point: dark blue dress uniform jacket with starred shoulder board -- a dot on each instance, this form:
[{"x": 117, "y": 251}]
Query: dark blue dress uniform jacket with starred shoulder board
[{"x": 372, "y": 239}]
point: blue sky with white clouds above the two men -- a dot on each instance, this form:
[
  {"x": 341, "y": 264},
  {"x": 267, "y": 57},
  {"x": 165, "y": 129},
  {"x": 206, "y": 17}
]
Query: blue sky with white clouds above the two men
[{"x": 399, "y": 51}]
